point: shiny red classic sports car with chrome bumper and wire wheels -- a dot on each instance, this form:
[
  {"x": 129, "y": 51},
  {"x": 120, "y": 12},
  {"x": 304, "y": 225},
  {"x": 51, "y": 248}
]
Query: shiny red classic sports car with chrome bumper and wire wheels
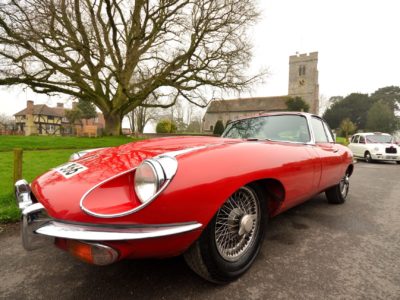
[{"x": 208, "y": 198}]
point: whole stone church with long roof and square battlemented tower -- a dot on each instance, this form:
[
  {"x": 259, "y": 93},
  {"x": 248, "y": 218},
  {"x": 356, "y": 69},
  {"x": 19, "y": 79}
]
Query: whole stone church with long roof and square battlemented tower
[{"x": 303, "y": 82}]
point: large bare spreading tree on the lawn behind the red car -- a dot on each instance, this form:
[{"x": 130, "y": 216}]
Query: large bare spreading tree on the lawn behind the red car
[{"x": 115, "y": 53}]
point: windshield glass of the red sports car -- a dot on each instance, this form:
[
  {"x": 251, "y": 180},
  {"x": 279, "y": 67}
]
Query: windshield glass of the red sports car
[{"x": 290, "y": 128}]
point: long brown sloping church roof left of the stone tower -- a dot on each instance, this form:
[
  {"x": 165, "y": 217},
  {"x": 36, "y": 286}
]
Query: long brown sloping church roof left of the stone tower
[{"x": 275, "y": 103}]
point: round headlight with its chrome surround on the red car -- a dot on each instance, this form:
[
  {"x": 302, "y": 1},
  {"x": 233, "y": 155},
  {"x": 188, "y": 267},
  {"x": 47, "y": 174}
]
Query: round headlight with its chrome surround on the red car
[{"x": 152, "y": 176}]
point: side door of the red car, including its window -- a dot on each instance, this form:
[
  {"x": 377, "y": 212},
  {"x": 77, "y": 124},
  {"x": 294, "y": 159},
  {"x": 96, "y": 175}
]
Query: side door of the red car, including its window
[{"x": 330, "y": 155}]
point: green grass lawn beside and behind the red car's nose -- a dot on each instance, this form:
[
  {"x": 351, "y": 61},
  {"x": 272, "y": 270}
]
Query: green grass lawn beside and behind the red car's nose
[{"x": 57, "y": 151}]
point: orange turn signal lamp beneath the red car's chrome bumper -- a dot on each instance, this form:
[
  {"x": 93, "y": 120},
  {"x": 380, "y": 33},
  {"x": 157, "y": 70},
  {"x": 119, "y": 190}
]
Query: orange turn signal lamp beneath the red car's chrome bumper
[{"x": 96, "y": 254}]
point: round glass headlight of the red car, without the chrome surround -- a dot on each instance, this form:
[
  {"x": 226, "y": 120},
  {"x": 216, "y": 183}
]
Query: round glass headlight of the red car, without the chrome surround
[{"x": 149, "y": 178}]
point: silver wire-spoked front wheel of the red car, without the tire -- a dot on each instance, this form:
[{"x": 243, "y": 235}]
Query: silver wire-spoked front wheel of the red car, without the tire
[{"x": 237, "y": 224}]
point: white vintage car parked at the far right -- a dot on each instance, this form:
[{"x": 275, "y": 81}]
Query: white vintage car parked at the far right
[{"x": 375, "y": 146}]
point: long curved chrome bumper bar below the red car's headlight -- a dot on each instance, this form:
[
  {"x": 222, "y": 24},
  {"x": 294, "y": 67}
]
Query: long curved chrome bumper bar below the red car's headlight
[{"x": 96, "y": 233}]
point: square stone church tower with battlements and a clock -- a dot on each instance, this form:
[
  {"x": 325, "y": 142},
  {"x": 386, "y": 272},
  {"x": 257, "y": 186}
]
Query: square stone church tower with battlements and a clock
[{"x": 303, "y": 79}]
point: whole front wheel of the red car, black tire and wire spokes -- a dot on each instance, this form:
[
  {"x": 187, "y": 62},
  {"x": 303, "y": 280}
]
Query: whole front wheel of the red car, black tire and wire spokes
[{"x": 209, "y": 255}]
